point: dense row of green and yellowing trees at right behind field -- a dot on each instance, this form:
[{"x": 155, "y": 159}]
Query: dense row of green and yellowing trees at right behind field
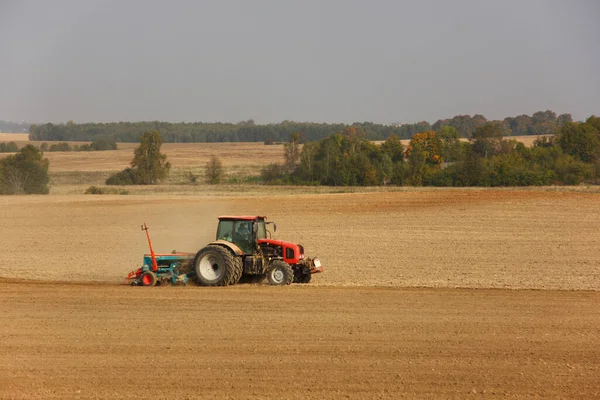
[{"x": 439, "y": 158}]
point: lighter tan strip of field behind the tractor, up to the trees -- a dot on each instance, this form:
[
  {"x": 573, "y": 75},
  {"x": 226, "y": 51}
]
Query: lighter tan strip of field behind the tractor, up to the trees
[{"x": 532, "y": 239}]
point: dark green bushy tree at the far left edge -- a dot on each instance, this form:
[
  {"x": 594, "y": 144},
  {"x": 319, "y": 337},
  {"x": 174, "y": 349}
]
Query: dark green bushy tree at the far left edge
[{"x": 25, "y": 172}]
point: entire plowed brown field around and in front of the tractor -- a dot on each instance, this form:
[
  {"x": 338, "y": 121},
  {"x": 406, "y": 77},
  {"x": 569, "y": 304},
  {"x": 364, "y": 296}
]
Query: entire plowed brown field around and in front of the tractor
[{"x": 387, "y": 319}]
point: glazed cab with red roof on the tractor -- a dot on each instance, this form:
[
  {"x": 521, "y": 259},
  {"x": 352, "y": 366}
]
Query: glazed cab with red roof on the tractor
[{"x": 243, "y": 231}]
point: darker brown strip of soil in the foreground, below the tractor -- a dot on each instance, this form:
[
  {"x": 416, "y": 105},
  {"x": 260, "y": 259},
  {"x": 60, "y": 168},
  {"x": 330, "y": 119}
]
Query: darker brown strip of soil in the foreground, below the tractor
[{"x": 299, "y": 342}]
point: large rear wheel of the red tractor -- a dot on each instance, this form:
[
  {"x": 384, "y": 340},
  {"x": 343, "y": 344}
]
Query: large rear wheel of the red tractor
[{"x": 217, "y": 266}]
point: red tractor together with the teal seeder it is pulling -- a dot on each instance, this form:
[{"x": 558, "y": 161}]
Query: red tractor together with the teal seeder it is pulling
[{"x": 243, "y": 248}]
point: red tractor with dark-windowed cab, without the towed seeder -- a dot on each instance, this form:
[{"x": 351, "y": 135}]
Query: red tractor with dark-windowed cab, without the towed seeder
[{"x": 244, "y": 247}]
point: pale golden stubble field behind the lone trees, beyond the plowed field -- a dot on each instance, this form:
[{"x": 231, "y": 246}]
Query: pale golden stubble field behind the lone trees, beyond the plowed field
[{"x": 73, "y": 172}]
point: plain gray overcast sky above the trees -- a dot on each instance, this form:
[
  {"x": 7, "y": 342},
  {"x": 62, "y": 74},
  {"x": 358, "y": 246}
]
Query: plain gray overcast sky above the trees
[{"x": 303, "y": 60}]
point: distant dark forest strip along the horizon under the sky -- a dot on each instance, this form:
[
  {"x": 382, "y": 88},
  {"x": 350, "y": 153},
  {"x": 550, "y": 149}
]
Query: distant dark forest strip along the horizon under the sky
[{"x": 542, "y": 122}]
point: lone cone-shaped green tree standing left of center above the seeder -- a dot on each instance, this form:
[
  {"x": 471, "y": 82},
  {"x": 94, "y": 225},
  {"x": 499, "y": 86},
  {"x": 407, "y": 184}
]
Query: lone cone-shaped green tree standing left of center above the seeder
[{"x": 149, "y": 165}]
